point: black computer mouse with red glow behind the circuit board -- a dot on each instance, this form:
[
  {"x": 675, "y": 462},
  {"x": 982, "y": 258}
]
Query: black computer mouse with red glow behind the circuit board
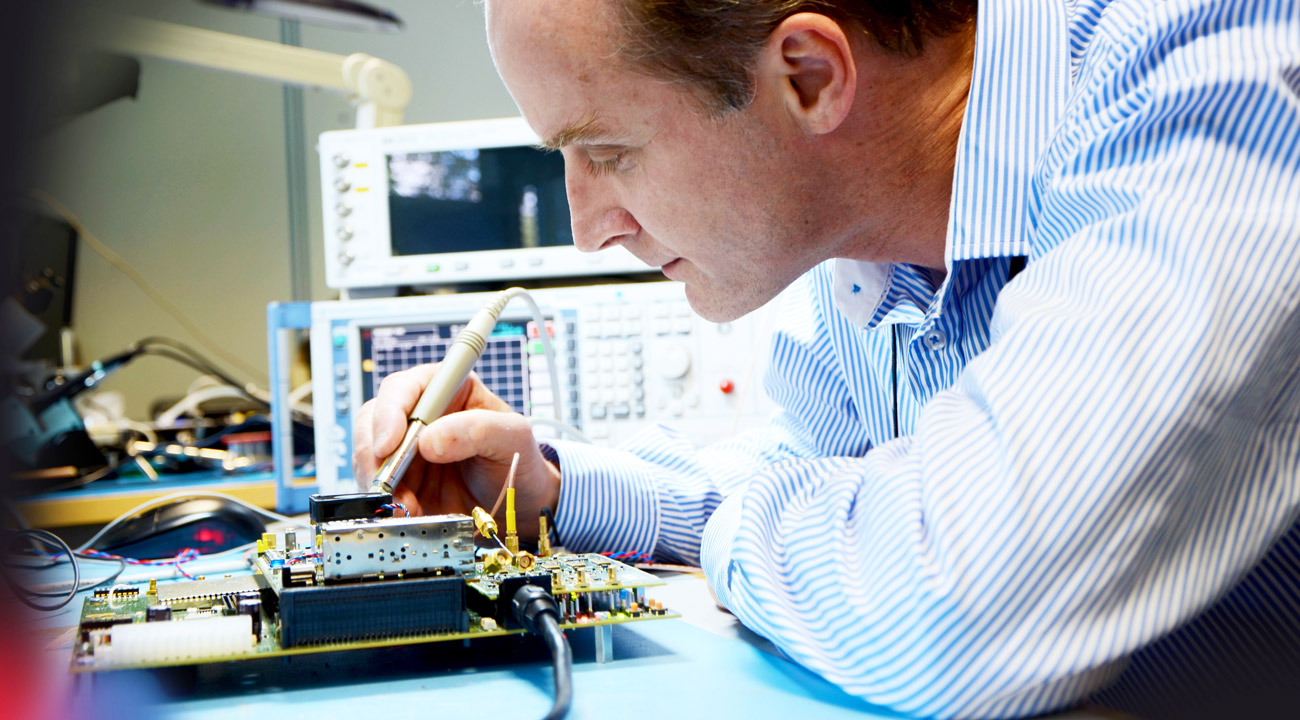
[{"x": 203, "y": 524}]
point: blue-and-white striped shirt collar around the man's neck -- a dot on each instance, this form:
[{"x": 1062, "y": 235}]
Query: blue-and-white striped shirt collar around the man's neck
[{"x": 1020, "y": 81}]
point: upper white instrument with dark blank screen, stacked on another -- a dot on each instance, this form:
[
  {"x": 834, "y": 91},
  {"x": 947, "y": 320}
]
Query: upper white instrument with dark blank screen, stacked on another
[{"x": 449, "y": 203}]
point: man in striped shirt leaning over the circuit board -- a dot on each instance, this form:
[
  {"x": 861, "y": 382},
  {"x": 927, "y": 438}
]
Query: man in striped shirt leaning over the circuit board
[{"x": 983, "y": 498}]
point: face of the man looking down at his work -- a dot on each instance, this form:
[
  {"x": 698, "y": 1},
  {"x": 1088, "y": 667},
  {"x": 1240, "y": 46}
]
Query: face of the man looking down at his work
[{"x": 714, "y": 203}]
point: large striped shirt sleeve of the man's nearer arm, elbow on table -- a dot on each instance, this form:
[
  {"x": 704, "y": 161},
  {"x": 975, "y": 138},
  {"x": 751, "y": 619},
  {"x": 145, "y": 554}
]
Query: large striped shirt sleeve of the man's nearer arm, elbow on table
[{"x": 1120, "y": 457}]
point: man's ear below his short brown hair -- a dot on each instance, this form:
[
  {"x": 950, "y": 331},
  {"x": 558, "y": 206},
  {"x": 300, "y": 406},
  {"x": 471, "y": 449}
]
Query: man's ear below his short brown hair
[{"x": 809, "y": 63}]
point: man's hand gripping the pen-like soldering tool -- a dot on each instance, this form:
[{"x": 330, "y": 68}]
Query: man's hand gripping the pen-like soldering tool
[{"x": 465, "y": 456}]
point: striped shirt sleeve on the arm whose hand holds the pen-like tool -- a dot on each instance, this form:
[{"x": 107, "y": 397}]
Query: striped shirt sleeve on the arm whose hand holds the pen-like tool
[{"x": 656, "y": 492}]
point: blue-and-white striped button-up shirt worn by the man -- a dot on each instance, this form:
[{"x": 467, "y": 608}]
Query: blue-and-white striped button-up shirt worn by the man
[{"x": 1095, "y": 480}]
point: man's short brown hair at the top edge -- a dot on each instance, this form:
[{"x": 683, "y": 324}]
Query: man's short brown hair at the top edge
[{"x": 710, "y": 46}]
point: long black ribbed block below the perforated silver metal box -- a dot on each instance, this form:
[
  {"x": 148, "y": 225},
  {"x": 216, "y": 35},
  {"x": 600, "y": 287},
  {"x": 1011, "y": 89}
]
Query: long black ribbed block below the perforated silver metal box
[{"x": 372, "y": 610}]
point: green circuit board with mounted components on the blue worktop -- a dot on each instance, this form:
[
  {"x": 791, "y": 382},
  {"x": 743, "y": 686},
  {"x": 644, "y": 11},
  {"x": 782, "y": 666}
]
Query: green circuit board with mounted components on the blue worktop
[{"x": 353, "y": 583}]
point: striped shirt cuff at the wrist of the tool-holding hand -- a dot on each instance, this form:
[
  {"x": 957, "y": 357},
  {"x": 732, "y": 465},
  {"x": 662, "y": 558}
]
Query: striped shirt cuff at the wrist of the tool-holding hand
[{"x": 608, "y": 501}]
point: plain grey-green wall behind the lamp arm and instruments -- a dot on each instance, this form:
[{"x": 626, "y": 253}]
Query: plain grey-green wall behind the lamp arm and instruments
[{"x": 189, "y": 181}]
